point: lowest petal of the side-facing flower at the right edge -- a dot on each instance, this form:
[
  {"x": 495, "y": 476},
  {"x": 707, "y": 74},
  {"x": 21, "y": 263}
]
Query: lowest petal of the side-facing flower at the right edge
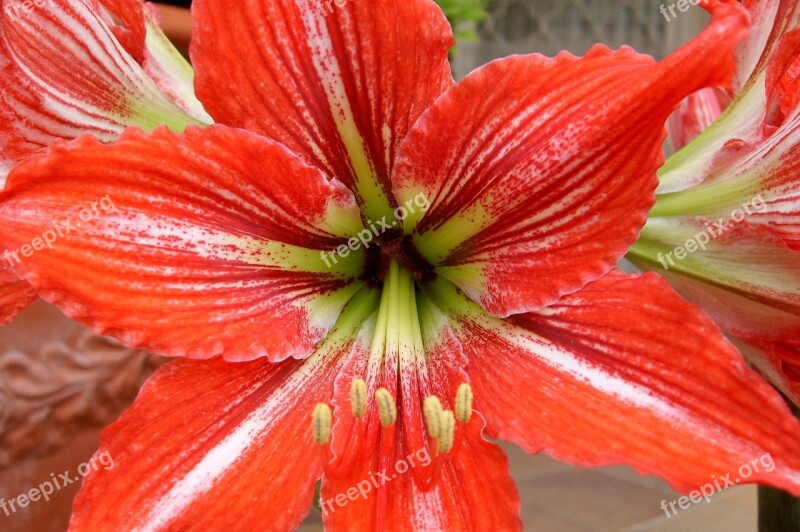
[{"x": 745, "y": 280}]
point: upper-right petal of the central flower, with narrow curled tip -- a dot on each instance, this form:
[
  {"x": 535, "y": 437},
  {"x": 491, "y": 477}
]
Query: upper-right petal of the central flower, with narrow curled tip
[{"x": 540, "y": 172}]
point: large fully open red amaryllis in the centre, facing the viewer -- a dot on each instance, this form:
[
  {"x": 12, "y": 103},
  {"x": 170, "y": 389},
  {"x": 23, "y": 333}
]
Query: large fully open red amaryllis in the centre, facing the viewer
[{"x": 362, "y": 248}]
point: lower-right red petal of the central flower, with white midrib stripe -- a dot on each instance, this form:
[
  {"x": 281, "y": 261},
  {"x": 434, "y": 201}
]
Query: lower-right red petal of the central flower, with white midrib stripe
[{"x": 625, "y": 371}]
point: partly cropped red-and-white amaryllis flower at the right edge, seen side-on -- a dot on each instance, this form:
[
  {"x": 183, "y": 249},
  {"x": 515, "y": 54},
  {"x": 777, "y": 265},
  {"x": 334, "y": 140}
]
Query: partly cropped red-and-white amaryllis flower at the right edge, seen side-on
[{"x": 725, "y": 230}]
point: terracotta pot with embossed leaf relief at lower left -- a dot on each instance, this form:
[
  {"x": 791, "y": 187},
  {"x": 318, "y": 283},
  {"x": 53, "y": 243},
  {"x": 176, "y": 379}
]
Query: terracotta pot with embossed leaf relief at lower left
[{"x": 60, "y": 384}]
